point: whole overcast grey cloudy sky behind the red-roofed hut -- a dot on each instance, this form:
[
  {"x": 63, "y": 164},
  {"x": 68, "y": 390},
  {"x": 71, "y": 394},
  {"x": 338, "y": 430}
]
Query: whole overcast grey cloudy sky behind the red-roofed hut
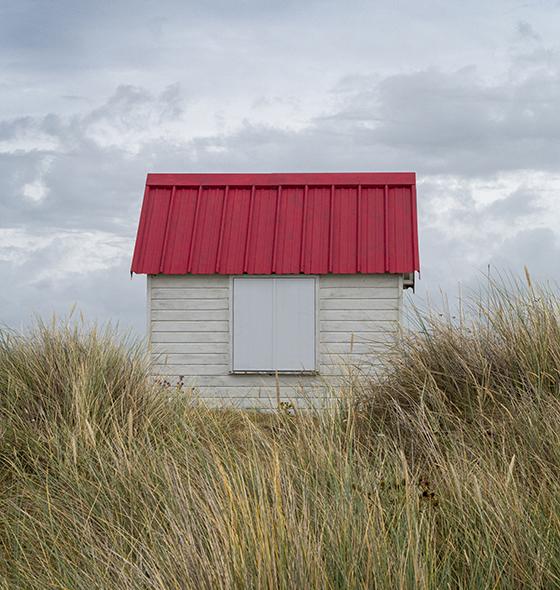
[{"x": 95, "y": 94}]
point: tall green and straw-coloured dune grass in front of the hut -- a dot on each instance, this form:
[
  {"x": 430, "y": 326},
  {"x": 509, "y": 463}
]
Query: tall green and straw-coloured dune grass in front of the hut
[{"x": 443, "y": 474}]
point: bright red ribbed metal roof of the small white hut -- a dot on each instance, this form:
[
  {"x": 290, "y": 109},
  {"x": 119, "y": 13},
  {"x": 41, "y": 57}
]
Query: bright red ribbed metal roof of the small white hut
[{"x": 278, "y": 224}]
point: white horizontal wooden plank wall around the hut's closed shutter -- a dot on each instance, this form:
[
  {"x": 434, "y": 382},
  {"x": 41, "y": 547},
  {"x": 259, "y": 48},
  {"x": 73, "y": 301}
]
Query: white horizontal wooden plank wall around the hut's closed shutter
[{"x": 188, "y": 328}]
